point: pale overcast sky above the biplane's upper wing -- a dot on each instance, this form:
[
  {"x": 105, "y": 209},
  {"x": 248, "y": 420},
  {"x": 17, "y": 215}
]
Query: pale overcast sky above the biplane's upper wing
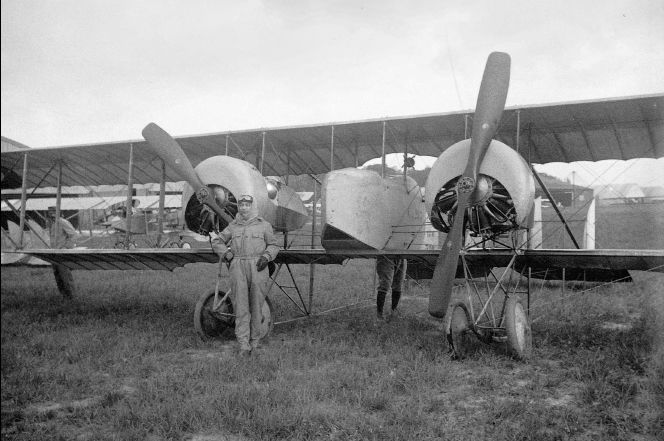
[{"x": 91, "y": 71}]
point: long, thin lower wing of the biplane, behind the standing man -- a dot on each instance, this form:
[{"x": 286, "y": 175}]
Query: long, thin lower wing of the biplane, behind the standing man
[{"x": 590, "y": 265}]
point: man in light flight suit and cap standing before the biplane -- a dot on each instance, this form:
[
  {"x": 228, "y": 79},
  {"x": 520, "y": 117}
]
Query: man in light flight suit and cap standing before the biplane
[{"x": 248, "y": 244}]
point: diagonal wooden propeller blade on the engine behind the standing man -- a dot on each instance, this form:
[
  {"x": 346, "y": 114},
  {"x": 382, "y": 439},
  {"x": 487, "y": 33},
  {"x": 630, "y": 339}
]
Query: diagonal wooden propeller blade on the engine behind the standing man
[{"x": 164, "y": 146}]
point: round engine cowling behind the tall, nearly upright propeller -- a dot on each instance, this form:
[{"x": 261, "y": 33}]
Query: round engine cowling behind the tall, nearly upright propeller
[{"x": 503, "y": 195}]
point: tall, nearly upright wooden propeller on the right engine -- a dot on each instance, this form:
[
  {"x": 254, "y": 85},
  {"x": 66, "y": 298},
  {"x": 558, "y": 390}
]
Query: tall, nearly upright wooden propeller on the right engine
[{"x": 488, "y": 111}]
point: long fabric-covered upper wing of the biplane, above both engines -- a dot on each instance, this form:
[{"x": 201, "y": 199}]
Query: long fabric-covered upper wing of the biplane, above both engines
[{"x": 619, "y": 128}]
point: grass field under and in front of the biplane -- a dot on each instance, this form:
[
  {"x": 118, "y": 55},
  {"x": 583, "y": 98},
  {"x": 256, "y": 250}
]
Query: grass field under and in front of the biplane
[{"x": 122, "y": 362}]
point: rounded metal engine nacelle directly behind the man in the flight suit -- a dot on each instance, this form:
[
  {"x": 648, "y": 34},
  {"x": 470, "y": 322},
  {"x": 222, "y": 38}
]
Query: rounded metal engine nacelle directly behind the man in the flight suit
[{"x": 229, "y": 178}]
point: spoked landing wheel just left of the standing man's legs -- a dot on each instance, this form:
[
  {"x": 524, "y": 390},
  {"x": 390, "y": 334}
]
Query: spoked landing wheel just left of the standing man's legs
[{"x": 210, "y": 323}]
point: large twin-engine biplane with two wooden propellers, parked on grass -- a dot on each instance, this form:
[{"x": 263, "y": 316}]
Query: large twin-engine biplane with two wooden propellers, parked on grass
[{"x": 488, "y": 177}]
